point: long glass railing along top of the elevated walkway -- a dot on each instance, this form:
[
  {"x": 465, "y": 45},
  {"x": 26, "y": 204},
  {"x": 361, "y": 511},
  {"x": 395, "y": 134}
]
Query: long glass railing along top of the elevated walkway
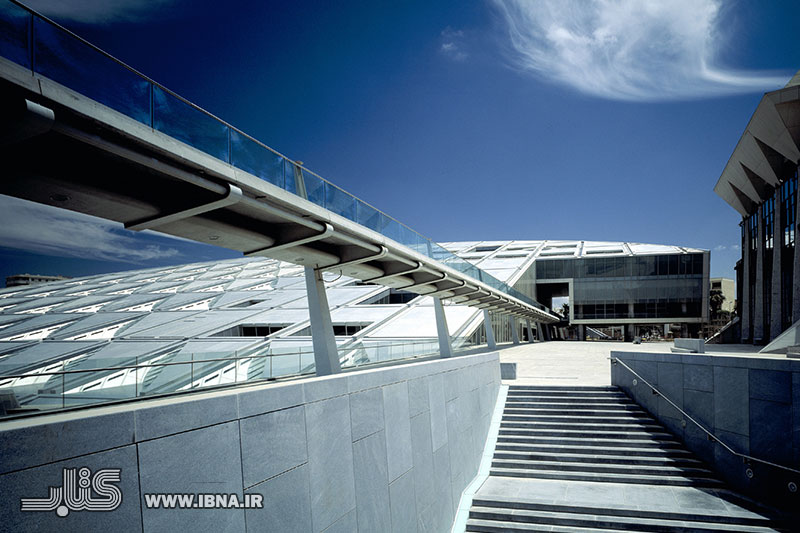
[{"x": 44, "y": 47}]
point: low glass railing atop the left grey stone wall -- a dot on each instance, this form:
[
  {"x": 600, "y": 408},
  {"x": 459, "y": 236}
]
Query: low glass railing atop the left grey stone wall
[{"x": 84, "y": 380}]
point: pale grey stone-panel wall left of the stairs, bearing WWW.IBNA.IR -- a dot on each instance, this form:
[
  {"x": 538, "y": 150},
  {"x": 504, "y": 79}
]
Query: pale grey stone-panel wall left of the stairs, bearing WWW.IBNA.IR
[{"x": 387, "y": 449}]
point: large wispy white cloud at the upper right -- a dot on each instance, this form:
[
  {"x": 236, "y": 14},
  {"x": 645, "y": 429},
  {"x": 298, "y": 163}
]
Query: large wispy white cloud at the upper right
[{"x": 628, "y": 49}]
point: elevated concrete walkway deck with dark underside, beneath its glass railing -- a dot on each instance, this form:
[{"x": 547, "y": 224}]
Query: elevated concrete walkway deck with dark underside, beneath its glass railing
[{"x": 63, "y": 149}]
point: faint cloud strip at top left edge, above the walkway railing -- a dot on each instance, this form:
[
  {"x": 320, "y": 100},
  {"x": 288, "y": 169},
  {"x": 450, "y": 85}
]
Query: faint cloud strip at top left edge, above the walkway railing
[{"x": 98, "y": 11}]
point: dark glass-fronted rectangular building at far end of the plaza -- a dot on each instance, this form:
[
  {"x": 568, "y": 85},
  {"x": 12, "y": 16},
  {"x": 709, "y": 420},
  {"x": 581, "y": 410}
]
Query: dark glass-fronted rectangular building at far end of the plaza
[{"x": 628, "y": 285}]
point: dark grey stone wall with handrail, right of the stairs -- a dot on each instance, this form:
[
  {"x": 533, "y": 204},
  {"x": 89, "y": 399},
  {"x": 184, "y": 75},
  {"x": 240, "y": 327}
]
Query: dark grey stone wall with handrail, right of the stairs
[{"x": 752, "y": 404}]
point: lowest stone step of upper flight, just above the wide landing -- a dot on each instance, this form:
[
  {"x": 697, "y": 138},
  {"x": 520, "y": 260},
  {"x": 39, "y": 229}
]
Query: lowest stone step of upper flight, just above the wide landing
[{"x": 694, "y": 471}]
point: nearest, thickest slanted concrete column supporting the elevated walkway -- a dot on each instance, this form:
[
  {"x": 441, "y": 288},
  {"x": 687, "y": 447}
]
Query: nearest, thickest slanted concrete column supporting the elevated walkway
[{"x": 326, "y": 354}]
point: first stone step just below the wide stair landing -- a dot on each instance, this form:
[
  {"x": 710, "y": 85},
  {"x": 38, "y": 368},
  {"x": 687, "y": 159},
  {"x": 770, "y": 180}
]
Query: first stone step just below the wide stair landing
[{"x": 623, "y": 523}]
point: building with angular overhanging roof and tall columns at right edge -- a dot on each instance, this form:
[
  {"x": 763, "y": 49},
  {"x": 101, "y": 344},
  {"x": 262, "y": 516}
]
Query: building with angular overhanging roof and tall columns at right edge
[{"x": 760, "y": 182}]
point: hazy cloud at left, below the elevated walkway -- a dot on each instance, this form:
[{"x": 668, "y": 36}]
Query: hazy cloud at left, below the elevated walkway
[{"x": 52, "y": 231}]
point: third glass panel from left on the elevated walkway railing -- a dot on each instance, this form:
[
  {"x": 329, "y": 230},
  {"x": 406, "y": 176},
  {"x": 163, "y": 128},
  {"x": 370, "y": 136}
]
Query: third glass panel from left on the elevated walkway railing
[{"x": 190, "y": 125}]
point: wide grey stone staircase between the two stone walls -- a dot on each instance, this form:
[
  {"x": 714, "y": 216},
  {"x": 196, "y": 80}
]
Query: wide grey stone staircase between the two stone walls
[{"x": 589, "y": 459}]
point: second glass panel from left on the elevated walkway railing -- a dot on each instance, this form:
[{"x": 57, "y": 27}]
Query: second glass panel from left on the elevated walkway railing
[{"x": 70, "y": 62}]
